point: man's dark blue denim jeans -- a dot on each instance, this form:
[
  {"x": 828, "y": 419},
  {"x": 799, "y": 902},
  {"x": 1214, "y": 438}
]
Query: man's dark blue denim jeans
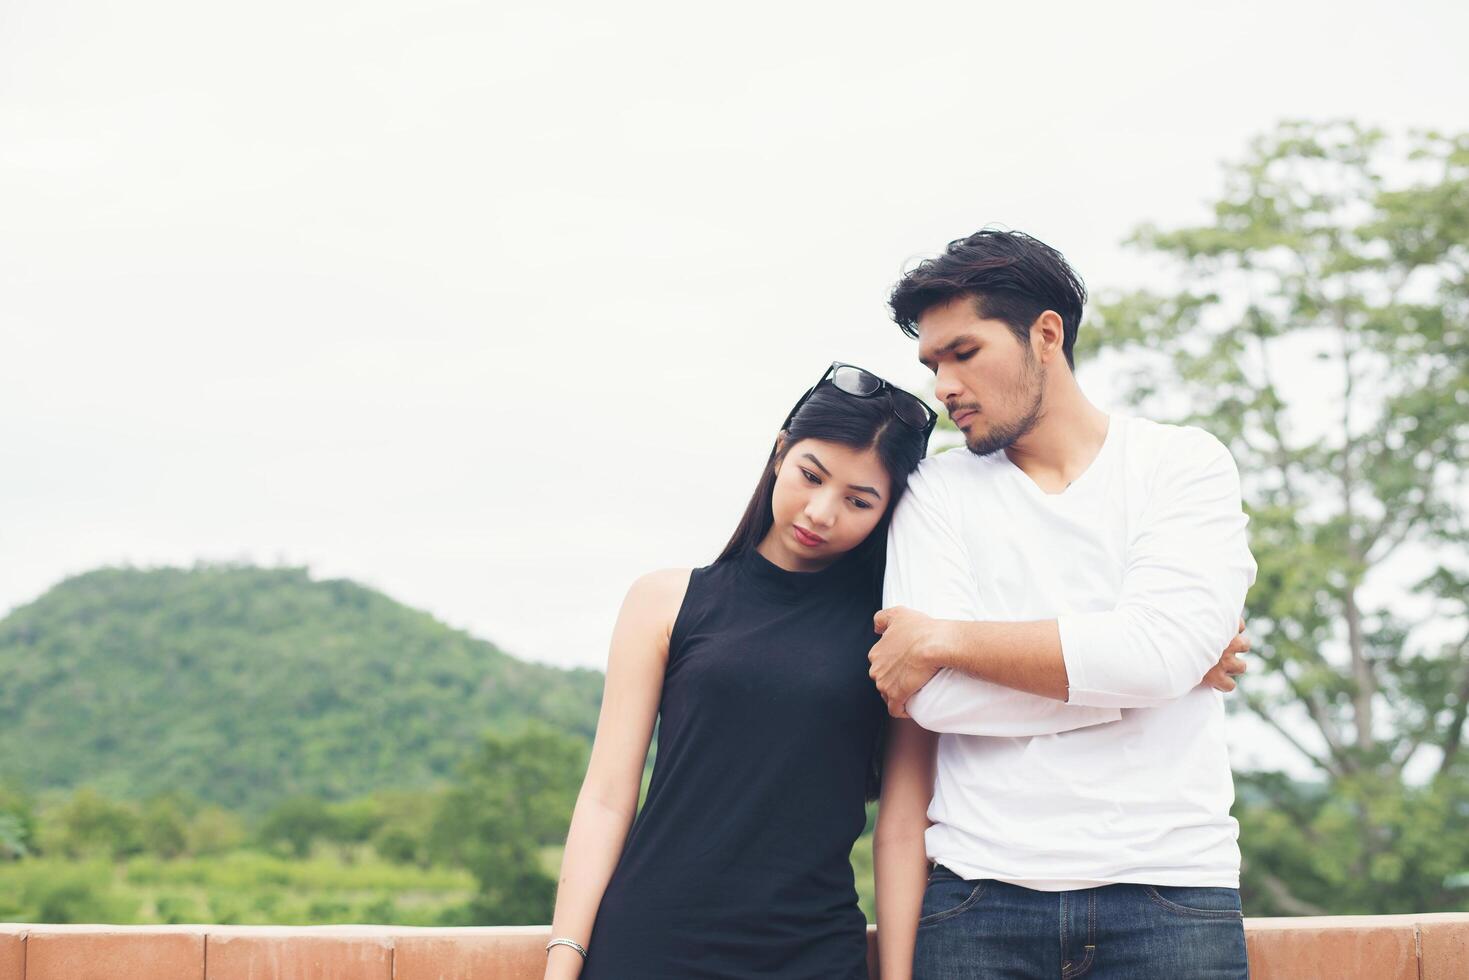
[{"x": 991, "y": 931}]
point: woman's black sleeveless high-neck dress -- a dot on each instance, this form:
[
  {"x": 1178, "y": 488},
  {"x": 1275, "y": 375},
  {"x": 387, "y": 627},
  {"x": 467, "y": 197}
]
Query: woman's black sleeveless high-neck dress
[{"x": 738, "y": 865}]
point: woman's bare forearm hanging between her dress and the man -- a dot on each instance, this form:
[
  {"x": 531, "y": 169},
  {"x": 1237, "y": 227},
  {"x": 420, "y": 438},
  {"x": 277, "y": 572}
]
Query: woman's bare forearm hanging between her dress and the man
[{"x": 900, "y": 860}]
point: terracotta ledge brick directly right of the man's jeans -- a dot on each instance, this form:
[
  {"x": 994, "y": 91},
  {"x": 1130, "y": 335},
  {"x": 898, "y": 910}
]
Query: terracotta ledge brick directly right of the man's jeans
[{"x": 1367, "y": 947}]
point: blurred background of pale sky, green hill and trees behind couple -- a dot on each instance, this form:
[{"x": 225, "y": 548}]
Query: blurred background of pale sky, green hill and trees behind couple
[{"x": 356, "y": 356}]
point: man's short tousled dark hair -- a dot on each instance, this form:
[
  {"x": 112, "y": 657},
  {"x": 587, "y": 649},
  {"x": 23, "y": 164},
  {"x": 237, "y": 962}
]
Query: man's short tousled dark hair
[{"x": 1010, "y": 275}]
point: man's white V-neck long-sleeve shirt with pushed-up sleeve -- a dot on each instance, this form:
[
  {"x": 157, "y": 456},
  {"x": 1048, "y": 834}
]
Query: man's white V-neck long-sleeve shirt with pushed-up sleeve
[{"x": 1144, "y": 563}]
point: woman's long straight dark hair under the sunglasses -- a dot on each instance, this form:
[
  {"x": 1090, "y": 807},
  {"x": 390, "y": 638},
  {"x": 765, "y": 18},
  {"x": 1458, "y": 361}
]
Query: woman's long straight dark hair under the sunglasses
[{"x": 835, "y": 417}]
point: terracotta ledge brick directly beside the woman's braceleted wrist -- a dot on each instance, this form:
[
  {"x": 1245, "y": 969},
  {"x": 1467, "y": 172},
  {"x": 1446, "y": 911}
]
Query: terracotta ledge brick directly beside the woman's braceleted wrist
[{"x": 503, "y": 953}]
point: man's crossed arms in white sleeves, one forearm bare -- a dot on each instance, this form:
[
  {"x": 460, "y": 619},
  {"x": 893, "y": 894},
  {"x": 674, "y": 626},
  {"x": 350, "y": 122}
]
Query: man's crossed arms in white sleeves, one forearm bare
[{"x": 1188, "y": 572}]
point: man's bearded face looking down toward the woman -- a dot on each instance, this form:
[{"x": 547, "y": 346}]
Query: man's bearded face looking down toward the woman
[{"x": 989, "y": 381}]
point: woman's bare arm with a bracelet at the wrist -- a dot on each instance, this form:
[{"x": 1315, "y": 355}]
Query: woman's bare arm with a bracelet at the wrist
[{"x": 609, "y": 799}]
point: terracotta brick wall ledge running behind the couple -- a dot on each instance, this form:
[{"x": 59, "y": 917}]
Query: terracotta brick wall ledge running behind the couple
[{"x": 1432, "y": 947}]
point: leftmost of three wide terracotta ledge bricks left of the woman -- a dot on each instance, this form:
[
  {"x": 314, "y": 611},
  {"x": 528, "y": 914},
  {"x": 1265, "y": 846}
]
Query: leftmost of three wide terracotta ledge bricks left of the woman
[{"x": 114, "y": 953}]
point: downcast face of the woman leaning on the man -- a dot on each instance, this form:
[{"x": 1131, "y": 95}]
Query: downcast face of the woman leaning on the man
[{"x": 828, "y": 499}]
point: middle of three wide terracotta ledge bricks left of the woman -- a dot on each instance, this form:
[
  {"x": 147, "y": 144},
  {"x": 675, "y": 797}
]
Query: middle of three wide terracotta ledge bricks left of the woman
[{"x": 325, "y": 953}]
